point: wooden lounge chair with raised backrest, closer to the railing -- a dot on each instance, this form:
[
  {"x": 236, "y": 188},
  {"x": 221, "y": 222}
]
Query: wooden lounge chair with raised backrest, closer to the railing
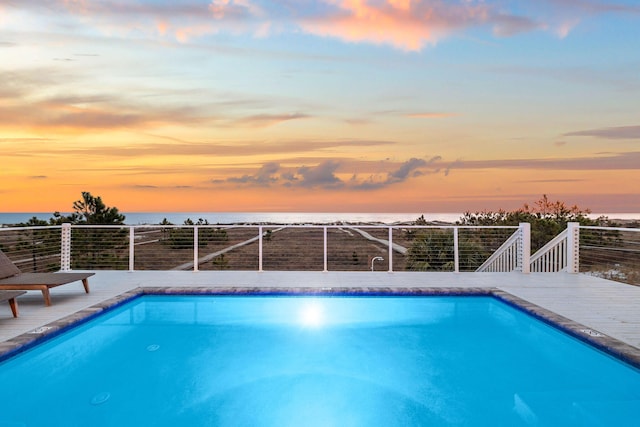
[{"x": 11, "y": 278}]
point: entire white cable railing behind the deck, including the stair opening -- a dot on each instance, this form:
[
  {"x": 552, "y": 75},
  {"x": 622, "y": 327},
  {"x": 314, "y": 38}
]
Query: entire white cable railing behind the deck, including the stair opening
[{"x": 607, "y": 252}]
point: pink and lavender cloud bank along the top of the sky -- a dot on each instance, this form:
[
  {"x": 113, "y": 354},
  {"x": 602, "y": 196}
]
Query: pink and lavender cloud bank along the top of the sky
[{"x": 408, "y": 25}]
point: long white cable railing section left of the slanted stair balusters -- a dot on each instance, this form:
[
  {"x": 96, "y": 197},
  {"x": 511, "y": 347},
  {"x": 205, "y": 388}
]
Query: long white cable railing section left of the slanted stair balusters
[{"x": 260, "y": 247}]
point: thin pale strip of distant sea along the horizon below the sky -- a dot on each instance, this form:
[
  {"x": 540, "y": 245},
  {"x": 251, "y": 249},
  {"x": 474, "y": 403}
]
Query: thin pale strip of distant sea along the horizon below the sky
[{"x": 178, "y": 218}]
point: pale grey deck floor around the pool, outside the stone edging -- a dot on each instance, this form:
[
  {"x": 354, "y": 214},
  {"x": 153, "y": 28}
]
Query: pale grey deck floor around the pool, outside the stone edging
[{"x": 604, "y": 306}]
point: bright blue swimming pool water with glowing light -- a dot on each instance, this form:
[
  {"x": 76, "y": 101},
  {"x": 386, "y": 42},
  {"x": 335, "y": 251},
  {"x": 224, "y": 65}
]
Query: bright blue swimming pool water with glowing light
[{"x": 316, "y": 361}]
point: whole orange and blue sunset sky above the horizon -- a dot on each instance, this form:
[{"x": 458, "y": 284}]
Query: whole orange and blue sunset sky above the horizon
[{"x": 319, "y": 105}]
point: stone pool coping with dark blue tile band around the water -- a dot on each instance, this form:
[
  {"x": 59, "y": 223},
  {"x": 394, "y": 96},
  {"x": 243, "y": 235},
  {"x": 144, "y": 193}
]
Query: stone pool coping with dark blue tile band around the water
[{"x": 611, "y": 346}]
